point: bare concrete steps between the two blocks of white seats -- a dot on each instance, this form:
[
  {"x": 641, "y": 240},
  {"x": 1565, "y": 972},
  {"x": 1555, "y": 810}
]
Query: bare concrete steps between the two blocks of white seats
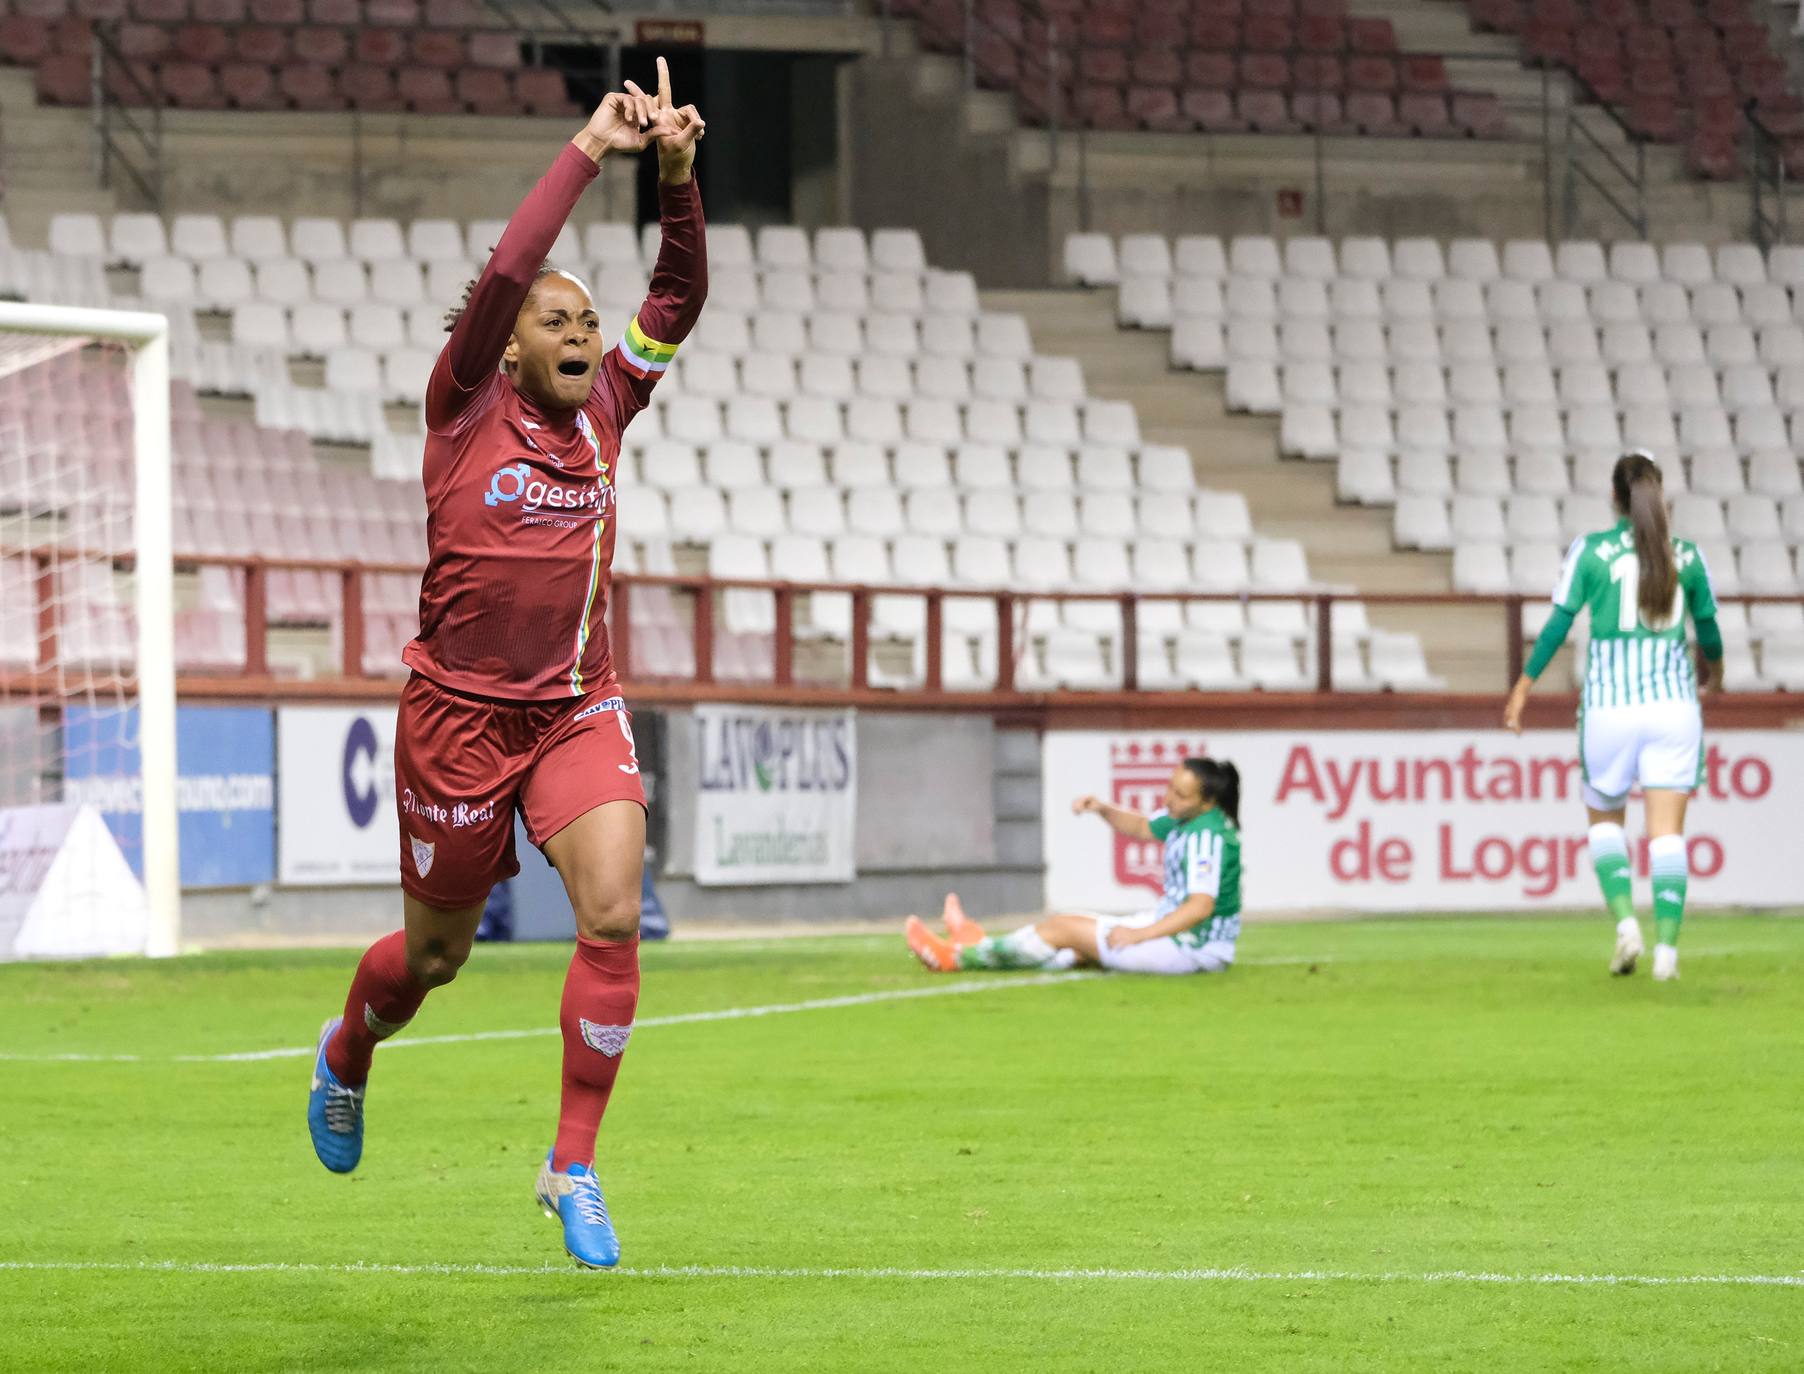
[{"x": 1289, "y": 499}]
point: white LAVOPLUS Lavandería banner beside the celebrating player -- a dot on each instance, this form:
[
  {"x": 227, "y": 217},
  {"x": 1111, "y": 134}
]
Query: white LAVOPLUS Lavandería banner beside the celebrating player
[{"x": 777, "y": 796}]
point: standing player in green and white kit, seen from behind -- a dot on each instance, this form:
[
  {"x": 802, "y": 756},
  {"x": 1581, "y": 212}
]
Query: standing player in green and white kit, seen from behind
[{"x": 1639, "y": 719}]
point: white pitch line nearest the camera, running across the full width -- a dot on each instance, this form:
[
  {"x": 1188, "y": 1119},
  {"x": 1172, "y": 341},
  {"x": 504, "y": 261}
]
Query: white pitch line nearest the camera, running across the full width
[{"x": 1229, "y": 1276}]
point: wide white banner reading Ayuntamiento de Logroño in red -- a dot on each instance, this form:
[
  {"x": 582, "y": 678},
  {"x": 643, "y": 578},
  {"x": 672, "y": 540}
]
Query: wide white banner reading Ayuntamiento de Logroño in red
[{"x": 1415, "y": 821}]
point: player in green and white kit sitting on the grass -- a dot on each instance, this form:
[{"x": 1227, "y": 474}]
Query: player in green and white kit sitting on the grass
[{"x": 1192, "y": 930}]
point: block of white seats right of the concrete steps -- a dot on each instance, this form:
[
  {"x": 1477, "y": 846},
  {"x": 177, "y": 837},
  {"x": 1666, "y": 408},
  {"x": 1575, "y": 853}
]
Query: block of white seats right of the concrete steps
[{"x": 1484, "y": 392}]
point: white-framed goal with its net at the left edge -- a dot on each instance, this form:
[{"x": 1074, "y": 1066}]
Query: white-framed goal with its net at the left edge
[{"x": 87, "y": 666}]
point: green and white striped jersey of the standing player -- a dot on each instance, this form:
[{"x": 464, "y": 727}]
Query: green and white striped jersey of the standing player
[{"x": 1632, "y": 661}]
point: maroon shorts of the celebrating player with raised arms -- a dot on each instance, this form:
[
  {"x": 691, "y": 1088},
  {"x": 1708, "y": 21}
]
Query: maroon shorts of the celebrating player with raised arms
[{"x": 465, "y": 765}]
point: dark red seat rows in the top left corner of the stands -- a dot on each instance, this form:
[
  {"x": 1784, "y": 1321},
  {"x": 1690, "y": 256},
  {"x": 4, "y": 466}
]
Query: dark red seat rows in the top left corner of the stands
[{"x": 441, "y": 57}]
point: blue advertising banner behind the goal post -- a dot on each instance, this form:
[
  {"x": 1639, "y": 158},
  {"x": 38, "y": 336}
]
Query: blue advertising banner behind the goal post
[{"x": 225, "y": 789}]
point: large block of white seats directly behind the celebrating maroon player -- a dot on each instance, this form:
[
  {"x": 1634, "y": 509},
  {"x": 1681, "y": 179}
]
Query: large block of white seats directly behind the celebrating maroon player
[{"x": 894, "y": 435}]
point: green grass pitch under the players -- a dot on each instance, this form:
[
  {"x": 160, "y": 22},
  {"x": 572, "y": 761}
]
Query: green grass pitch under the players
[{"x": 1374, "y": 1146}]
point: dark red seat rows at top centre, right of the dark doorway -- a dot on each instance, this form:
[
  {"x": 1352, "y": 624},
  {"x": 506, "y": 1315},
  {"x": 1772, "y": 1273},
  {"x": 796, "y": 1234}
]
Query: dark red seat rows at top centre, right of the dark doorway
[{"x": 1220, "y": 68}]
